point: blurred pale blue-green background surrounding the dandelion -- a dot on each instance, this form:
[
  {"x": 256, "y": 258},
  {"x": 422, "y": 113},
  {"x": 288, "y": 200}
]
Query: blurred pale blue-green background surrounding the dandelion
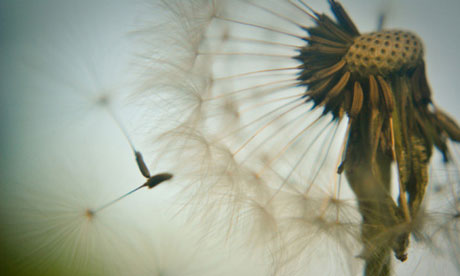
[{"x": 61, "y": 152}]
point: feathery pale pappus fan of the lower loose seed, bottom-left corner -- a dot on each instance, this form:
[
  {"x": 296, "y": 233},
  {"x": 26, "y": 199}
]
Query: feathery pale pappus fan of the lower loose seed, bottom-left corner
[{"x": 59, "y": 233}]
